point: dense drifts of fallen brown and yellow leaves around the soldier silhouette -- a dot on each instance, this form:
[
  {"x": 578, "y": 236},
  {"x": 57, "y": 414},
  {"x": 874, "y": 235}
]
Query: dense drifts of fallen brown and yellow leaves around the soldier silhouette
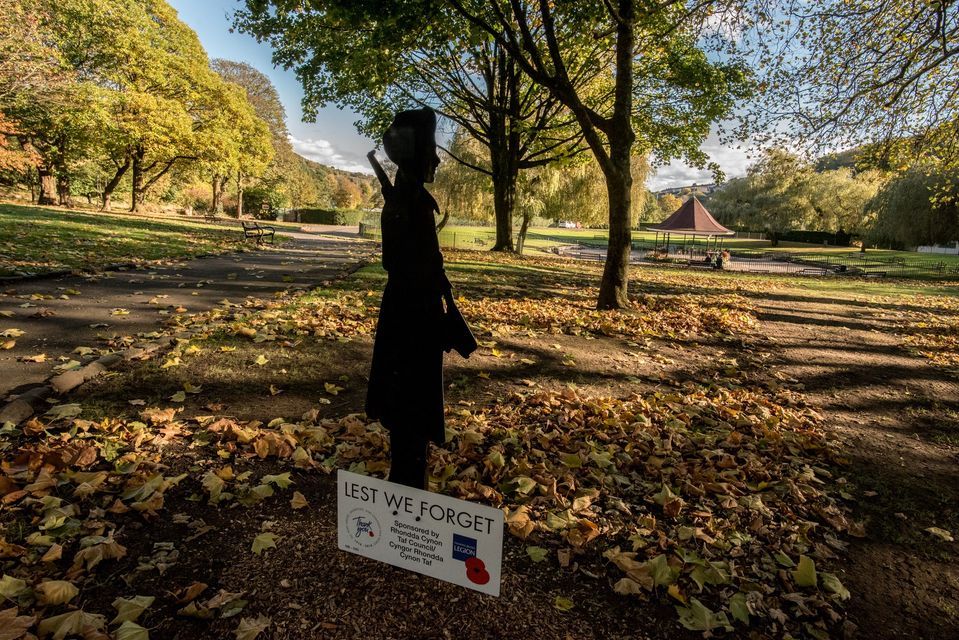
[{"x": 707, "y": 495}]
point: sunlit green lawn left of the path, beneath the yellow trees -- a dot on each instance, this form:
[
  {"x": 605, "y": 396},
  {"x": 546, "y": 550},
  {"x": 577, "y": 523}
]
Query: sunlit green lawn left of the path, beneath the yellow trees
[{"x": 36, "y": 239}]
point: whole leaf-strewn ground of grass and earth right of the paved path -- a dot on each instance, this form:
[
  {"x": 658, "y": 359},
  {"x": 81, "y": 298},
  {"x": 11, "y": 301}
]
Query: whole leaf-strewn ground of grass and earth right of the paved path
[{"x": 706, "y": 461}]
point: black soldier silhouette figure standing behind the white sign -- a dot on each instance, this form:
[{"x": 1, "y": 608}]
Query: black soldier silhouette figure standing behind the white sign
[{"x": 418, "y": 318}]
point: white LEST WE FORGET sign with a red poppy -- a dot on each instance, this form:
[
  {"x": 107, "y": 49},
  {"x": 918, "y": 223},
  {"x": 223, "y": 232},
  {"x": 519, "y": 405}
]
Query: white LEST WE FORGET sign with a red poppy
[{"x": 436, "y": 535}]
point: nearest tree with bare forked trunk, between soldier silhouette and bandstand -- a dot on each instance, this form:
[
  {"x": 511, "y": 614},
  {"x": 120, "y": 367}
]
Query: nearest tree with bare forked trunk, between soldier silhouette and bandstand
[{"x": 664, "y": 87}]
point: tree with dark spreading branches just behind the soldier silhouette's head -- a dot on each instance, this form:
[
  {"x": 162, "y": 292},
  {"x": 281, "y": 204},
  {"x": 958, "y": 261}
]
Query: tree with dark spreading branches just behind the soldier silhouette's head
[{"x": 377, "y": 58}]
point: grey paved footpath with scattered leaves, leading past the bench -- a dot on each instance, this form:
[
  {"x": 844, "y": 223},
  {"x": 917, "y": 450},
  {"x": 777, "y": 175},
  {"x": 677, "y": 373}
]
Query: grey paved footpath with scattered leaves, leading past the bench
[{"x": 58, "y": 315}]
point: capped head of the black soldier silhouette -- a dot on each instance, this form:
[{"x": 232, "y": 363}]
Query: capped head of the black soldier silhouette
[{"x": 410, "y": 142}]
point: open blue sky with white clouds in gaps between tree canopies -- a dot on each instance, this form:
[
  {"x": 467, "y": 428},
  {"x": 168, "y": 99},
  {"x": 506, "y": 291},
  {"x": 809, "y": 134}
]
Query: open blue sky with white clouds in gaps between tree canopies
[{"x": 332, "y": 139}]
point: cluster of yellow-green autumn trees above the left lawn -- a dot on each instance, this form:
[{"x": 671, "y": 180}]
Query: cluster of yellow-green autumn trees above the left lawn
[{"x": 125, "y": 85}]
